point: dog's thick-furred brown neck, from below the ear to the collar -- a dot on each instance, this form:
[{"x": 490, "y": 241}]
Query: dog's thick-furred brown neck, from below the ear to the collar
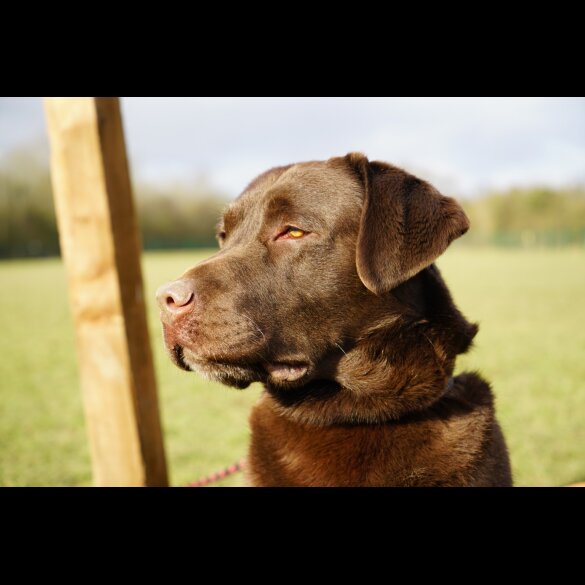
[{"x": 400, "y": 368}]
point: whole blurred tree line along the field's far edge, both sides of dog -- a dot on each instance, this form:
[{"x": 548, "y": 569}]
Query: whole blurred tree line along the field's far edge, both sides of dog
[{"x": 184, "y": 215}]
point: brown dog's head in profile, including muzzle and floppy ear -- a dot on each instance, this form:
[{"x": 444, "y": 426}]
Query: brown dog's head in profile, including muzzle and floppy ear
[{"x": 312, "y": 261}]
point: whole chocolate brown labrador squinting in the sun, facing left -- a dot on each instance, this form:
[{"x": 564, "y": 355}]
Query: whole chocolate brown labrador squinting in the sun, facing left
[{"x": 325, "y": 290}]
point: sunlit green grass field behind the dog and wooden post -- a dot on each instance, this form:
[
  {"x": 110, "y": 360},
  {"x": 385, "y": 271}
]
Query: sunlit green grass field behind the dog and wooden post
[{"x": 531, "y": 346}]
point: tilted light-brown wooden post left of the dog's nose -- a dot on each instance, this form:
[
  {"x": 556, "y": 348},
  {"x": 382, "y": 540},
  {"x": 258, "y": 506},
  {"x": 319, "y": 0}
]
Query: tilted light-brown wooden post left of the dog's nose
[{"x": 101, "y": 248}]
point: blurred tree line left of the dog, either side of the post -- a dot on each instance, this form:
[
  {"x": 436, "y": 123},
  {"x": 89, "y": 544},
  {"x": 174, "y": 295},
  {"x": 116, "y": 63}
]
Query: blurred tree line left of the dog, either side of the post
[{"x": 181, "y": 215}]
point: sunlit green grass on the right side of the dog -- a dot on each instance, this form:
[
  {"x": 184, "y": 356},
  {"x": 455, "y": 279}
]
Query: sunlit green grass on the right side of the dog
[{"x": 531, "y": 346}]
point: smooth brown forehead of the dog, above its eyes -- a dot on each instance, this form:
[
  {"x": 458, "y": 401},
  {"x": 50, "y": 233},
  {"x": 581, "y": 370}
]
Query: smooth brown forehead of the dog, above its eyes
[{"x": 313, "y": 186}]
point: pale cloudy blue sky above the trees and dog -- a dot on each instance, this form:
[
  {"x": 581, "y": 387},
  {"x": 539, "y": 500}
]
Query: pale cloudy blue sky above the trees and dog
[{"x": 463, "y": 145}]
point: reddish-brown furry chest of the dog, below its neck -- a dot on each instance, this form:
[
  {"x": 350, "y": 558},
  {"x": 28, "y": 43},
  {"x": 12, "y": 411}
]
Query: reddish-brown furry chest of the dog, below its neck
[{"x": 284, "y": 453}]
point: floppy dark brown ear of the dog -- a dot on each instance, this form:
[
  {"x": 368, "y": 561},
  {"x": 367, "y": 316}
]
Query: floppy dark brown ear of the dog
[{"x": 405, "y": 224}]
